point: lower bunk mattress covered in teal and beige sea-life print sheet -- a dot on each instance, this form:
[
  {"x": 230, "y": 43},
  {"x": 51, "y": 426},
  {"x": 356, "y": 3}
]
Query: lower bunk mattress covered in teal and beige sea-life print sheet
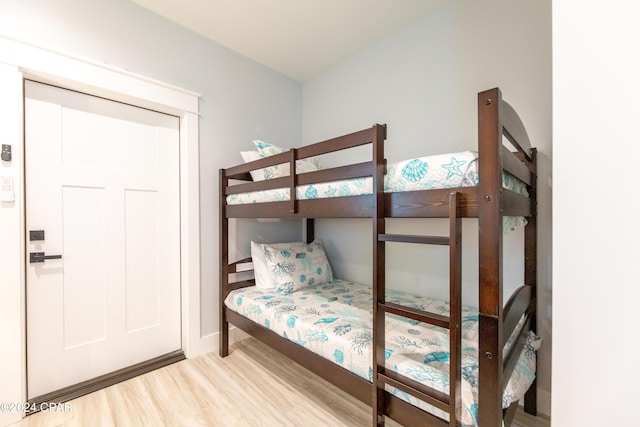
[{"x": 333, "y": 320}]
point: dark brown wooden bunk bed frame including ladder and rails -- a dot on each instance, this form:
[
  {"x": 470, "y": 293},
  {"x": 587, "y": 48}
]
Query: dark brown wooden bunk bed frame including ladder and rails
[{"x": 488, "y": 202}]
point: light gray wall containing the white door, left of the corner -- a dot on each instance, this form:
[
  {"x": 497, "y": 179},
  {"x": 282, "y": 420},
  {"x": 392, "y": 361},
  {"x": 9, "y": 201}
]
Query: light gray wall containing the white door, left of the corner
[{"x": 238, "y": 95}]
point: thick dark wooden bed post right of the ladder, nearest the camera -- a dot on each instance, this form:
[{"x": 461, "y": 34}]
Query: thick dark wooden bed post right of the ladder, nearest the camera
[{"x": 491, "y": 342}]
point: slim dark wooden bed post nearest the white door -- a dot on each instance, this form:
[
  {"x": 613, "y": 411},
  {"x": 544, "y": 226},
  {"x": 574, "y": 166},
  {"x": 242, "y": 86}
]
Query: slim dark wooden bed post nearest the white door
[{"x": 224, "y": 265}]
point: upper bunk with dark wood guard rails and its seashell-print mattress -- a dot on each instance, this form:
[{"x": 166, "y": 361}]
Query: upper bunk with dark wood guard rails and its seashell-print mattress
[{"x": 500, "y": 173}]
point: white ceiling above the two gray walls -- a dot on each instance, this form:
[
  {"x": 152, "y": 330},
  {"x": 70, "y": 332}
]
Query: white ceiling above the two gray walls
[{"x": 299, "y": 38}]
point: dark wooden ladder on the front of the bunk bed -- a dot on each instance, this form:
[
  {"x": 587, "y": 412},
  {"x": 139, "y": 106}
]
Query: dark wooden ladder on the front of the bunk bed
[{"x": 449, "y": 403}]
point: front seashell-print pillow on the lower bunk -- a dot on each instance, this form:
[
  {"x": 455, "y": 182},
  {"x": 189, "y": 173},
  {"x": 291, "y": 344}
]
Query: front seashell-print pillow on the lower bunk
[{"x": 297, "y": 267}]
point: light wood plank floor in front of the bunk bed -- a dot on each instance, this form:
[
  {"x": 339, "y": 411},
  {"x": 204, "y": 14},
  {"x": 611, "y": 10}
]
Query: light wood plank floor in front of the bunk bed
[{"x": 253, "y": 386}]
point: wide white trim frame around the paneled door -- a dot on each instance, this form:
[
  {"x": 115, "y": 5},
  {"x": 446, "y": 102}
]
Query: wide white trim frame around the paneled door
[{"x": 19, "y": 61}]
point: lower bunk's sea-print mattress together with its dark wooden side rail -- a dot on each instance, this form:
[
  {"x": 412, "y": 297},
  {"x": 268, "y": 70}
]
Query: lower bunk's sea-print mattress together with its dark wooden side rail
[{"x": 326, "y": 327}]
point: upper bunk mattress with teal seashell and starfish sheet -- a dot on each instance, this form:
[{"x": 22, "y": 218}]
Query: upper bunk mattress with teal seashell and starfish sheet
[{"x": 423, "y": 173}]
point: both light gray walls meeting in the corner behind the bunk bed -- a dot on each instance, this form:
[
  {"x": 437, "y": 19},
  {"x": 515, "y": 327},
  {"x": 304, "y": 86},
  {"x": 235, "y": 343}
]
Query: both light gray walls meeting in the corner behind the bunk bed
[{"x": 421, "y": 81}]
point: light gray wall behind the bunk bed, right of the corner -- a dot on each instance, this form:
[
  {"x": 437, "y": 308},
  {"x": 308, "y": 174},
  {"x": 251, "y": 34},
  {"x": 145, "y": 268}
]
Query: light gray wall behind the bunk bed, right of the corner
[{"x": 422, "y": 82}]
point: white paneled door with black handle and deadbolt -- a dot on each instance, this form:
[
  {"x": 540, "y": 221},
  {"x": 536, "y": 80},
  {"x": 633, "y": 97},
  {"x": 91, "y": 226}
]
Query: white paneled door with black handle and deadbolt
[{"x": 102, "y": 185}]
